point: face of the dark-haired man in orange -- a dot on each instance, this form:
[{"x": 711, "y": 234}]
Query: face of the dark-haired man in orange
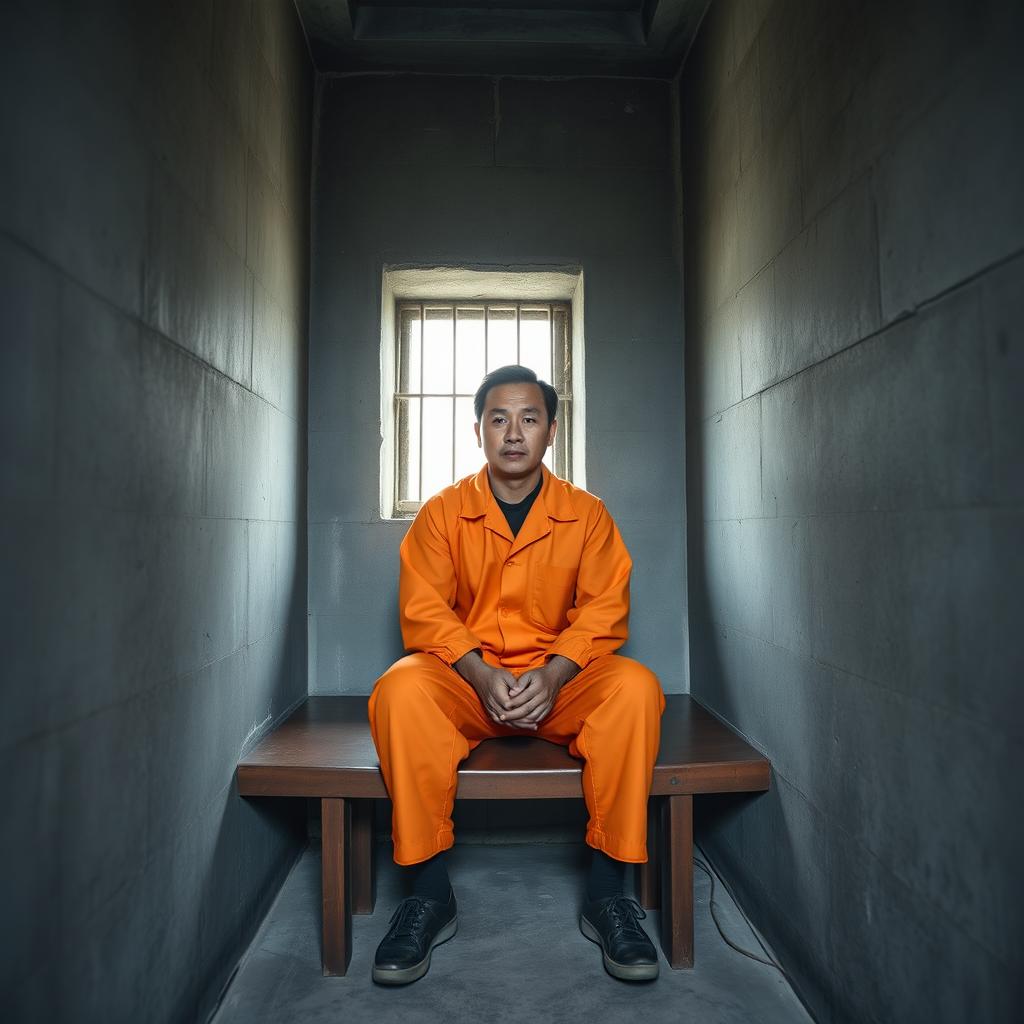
[{"x": 515, "y": 432}]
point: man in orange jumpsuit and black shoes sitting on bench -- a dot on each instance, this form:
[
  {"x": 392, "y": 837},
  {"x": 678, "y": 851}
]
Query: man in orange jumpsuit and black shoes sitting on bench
[{"x": 515, "y": 596}]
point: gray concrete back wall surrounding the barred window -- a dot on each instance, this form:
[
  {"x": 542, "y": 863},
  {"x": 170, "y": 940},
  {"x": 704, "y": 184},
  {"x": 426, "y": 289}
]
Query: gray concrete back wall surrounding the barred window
[{"x": 480, "y": 172}]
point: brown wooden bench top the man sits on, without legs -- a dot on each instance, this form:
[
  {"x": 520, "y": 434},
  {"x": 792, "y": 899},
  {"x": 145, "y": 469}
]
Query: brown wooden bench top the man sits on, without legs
[{"x": 324, "y": 749}]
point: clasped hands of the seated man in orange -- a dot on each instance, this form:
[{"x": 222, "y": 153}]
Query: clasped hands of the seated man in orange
[{"x": 523, "y": 703}]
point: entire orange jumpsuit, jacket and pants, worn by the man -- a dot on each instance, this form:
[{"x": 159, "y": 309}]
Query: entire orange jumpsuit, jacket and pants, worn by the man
[{"x": 561, "y": 587}]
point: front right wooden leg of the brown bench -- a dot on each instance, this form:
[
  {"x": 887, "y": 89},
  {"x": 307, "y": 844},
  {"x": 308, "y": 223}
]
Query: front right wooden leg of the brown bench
[{"x": 677, "y": 881}]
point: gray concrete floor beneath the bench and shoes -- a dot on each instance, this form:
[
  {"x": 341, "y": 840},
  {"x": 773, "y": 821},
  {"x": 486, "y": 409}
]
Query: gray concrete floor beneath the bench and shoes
[{"x": 519, "y": 957}]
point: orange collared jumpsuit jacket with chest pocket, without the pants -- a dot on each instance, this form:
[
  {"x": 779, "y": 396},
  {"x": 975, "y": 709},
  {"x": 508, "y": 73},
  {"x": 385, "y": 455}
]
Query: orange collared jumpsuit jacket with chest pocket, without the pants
[{"x": 561, "y": 587}]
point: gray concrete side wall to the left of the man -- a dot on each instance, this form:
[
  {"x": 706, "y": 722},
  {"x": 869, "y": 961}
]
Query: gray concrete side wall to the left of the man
[{"x": 153, "y": 303}]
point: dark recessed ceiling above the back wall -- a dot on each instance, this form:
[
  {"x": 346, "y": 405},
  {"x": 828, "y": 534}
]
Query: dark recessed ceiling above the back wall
[{"x": 639, "y": 38}]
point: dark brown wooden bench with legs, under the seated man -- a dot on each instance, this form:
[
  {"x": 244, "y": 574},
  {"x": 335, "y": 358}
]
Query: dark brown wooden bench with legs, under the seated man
[{"x": 324, "y": 751}]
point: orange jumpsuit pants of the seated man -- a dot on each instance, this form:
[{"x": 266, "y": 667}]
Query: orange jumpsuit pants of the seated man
[{"x": 425, "y": 719}]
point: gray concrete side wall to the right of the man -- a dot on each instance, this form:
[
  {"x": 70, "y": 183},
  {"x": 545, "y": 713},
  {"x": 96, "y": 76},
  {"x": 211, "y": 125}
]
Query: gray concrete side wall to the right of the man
[{"x": 855, "y": 217}]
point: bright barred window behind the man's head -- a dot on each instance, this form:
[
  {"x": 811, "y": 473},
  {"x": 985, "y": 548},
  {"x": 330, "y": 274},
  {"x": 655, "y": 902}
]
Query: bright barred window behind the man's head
[{"x": 444, "y": 350}]
